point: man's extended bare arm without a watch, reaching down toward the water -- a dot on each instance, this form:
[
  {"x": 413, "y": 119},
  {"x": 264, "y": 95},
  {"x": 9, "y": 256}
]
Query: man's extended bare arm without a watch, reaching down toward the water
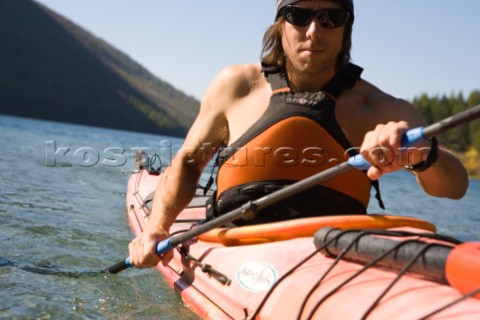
[{"x": 179, "y": 182}]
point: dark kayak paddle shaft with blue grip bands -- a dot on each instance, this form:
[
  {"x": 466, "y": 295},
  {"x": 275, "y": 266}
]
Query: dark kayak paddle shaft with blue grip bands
[{"x": 250, "y": 208}]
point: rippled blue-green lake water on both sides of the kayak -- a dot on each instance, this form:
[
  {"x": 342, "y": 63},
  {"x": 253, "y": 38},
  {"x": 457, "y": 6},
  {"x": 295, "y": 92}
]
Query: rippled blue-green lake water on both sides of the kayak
[{"x": 62, "y": 218}]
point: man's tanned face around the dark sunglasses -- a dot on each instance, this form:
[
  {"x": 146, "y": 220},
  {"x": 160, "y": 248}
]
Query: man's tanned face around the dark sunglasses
[{"x": 312, "y": 48}]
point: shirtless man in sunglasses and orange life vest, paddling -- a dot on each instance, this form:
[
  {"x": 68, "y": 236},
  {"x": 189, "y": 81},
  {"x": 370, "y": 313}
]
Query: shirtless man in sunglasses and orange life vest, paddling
[{"x": 299, "y": 112}]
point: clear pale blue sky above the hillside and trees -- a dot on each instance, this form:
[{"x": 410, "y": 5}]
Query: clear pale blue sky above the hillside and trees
[{"x": 407, "y": 47}]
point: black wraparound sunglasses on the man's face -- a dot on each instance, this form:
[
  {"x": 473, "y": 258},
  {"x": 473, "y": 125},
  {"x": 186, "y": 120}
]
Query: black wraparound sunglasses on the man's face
[{"x": 328, "y": 18}]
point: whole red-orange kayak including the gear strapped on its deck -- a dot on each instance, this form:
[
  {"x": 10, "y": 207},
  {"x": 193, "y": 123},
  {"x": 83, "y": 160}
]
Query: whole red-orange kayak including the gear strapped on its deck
[{"x": 330, "y": 267}]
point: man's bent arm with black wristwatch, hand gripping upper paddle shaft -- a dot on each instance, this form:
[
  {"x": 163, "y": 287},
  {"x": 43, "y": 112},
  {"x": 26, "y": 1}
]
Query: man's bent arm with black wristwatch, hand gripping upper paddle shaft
[{"x": 447, "y": 177}]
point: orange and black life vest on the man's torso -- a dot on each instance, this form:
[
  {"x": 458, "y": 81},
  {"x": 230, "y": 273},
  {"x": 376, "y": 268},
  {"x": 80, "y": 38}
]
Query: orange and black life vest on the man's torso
[{"x": 296, "y": 137}]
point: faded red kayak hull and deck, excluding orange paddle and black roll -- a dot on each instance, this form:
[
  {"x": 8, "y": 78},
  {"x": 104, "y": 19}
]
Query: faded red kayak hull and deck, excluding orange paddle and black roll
[{"x": 288, "y": 278}]
